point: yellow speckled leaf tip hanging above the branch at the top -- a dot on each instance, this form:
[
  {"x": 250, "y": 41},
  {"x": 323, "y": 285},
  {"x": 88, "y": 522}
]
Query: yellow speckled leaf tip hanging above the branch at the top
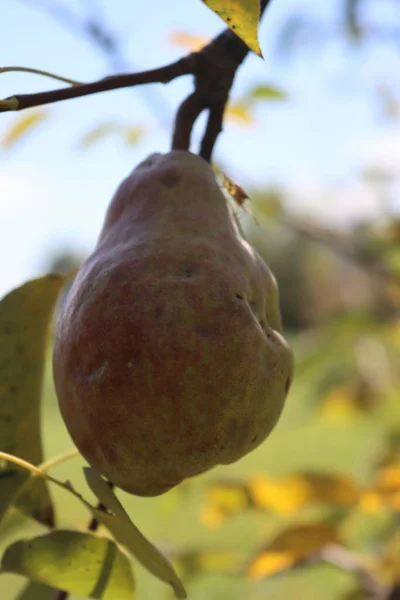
[{"x": 242, "y": 17}]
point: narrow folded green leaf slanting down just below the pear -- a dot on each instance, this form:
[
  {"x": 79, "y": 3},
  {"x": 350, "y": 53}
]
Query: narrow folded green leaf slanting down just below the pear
[{"x": 128, "y": 535}]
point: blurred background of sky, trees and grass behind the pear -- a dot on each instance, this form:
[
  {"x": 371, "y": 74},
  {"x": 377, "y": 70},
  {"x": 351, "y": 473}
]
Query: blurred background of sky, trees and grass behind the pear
[{"x": 312, "y": 134}]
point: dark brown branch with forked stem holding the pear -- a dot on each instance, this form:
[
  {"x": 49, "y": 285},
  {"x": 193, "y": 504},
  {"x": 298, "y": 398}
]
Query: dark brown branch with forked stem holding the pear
[{"x": 214, "y": 68}]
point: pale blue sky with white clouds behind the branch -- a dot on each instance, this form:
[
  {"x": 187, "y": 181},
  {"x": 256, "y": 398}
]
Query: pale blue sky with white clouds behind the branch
[{"x": 54, "y": 194}]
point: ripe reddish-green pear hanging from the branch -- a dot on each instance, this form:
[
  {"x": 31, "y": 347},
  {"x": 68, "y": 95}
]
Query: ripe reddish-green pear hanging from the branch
[{"x": 168, "y": 356}]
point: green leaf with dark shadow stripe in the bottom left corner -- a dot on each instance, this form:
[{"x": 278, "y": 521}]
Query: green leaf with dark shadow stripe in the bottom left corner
[{"x": 79, "y": 563}]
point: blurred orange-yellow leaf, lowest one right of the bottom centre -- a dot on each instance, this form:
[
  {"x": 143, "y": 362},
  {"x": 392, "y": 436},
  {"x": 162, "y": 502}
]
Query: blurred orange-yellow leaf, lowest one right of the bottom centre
[{"x": 290, "y": 547}]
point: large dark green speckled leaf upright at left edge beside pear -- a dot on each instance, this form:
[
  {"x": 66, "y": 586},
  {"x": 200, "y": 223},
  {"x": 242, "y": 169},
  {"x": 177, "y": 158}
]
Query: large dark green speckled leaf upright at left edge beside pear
[{"x": 25, "y": 314}]
